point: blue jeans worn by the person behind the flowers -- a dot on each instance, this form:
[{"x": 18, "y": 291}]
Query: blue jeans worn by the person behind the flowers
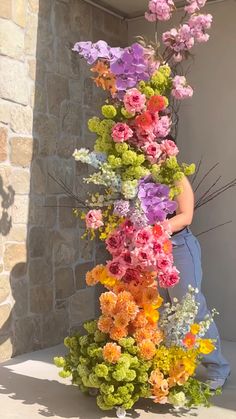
[{"x": 187, "y": 259}]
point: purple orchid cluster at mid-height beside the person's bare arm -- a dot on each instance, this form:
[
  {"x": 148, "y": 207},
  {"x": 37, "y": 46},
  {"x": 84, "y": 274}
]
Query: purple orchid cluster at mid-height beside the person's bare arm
[{"x": 155, "y": 201}]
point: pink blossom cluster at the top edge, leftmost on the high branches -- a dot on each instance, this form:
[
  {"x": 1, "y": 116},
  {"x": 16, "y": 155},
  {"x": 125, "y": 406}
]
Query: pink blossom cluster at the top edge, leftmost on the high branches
[{"x": 159, "y": 10}]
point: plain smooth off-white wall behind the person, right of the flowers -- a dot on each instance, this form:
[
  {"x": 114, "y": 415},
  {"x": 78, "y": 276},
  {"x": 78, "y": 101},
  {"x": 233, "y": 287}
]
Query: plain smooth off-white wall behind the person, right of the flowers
[{"x": 208, "y": 128}]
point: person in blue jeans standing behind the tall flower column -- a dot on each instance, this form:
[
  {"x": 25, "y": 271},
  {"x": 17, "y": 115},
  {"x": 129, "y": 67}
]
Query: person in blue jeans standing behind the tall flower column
[{"x": 187, "y": 259}]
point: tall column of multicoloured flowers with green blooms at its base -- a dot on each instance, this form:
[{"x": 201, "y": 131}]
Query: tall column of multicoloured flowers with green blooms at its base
[{"x": 138, "y": 347}]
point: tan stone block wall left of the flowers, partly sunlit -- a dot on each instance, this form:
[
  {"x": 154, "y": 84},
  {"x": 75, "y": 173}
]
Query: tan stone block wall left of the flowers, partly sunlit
[{"x": 46, "y": 97}]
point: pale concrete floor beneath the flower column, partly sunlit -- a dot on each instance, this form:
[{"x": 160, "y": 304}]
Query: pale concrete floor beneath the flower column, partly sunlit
[{"x": 30, "y": 388}]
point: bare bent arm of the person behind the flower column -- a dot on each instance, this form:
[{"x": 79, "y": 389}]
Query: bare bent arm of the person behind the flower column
[{"x": 185, "y": 209}]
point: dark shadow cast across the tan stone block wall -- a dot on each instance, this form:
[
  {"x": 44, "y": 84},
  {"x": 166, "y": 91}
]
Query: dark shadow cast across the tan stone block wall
[{"x": 48, "y": 288}]
